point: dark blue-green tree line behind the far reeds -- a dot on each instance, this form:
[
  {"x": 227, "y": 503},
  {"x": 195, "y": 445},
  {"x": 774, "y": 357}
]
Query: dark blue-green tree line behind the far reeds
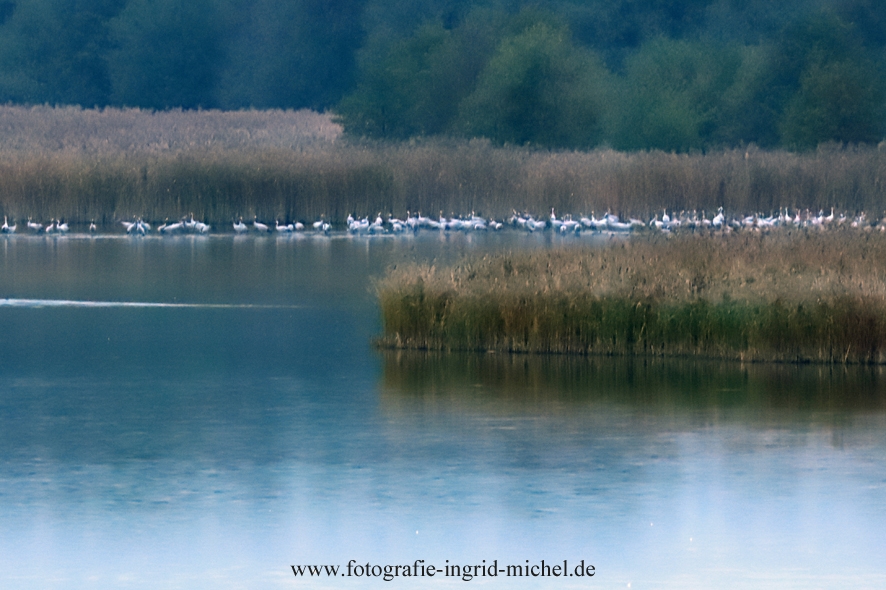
[{"x": 676, "y": 75}]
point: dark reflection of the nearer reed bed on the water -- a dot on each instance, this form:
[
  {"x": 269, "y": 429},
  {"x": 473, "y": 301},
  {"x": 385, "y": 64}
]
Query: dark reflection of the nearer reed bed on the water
[{"x": 652, "y": 385}]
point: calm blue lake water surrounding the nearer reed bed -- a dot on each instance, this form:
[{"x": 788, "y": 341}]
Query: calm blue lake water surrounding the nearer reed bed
[{"x": 246, "y": 426}]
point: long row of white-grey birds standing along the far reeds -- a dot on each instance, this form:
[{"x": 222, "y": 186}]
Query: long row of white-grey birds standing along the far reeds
[{"x": 568, "y": 224}]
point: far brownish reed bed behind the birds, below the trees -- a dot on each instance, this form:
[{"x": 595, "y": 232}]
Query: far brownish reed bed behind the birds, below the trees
[{"x": 111, "y": 164}]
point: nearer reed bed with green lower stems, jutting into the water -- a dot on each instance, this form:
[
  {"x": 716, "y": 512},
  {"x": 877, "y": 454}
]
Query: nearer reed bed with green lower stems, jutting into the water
[{"x": 791, "y": 295}]
